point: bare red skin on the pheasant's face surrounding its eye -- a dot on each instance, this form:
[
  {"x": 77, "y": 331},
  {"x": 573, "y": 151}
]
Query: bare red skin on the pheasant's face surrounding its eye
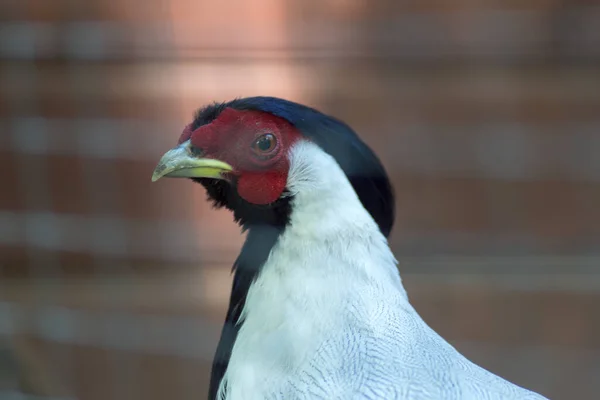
[{"x": 261, "y": 179}]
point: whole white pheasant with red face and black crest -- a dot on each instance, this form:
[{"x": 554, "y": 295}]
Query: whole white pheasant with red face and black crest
[{"x": 317, "y": 308}]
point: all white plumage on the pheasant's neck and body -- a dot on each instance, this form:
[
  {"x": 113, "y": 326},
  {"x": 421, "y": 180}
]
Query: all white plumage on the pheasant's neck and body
[{"x": 328, "y": 317}]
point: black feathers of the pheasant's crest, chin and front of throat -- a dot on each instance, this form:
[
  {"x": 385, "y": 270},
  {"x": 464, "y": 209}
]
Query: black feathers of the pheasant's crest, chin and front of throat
[{"x": 265, "y": 224}]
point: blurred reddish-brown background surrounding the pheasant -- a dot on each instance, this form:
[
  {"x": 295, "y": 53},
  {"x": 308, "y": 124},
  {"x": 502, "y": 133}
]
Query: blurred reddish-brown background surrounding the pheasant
[{"x": 485, "y": 113}]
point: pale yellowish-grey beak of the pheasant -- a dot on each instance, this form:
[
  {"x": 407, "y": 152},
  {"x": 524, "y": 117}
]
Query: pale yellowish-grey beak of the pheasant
[{"x": 180, "y": 163}]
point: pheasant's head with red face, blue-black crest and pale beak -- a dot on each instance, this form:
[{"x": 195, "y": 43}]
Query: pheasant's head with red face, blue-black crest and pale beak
[{"x": 242, "y": 152}]
